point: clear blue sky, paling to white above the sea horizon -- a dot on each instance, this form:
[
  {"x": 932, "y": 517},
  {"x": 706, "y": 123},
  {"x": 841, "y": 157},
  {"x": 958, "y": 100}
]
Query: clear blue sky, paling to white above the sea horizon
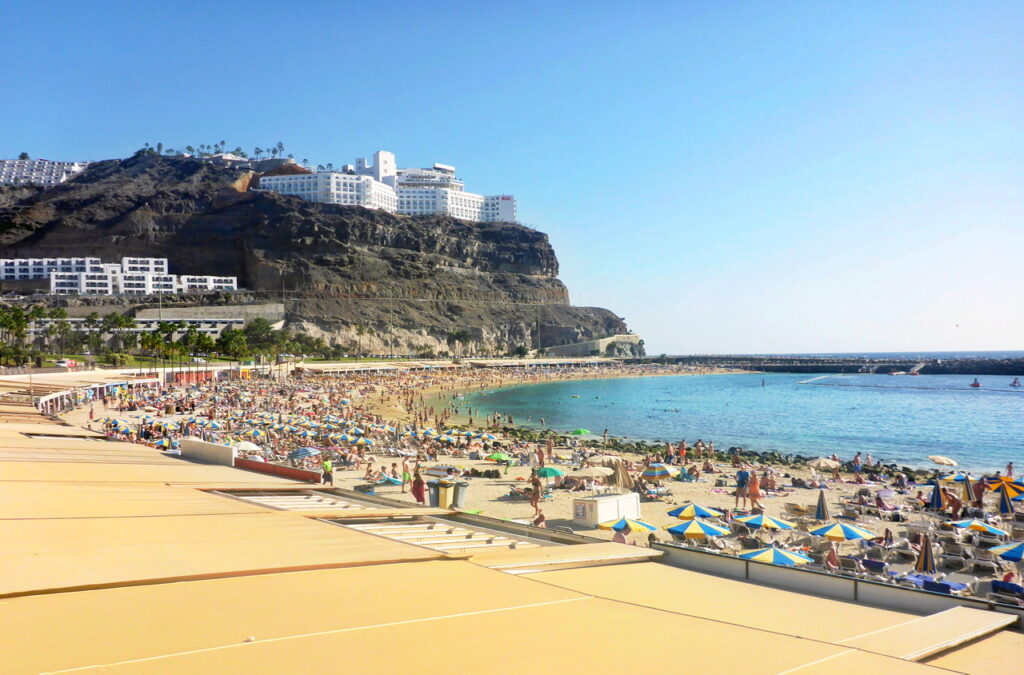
[{"x": 729, "y": 177}]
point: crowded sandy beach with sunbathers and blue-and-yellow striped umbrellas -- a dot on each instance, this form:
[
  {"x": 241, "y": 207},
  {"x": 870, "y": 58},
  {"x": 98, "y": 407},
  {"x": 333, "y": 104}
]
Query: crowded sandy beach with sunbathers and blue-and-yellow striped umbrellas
[{"x": 398, "y": 434}]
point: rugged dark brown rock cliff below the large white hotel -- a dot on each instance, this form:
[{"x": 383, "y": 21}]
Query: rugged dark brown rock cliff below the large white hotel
[{"x": 397, "y": 282}]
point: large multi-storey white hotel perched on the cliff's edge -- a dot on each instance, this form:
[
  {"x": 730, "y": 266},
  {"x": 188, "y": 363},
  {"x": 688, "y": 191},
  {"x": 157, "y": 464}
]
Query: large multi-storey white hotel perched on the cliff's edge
[{"x": 382, "y": 186}]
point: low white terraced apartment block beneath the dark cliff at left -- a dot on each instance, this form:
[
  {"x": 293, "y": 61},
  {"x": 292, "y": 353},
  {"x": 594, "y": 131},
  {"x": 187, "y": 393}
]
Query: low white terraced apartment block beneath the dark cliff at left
[{"x": 92, "y": 277}]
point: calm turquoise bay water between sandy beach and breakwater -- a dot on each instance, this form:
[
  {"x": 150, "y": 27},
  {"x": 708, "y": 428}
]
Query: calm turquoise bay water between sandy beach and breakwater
[{"x": 899, "y": 419}]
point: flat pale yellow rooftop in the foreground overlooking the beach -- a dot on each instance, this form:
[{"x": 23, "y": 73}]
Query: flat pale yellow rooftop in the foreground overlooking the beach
[{"x": 144, "y": 562}]
